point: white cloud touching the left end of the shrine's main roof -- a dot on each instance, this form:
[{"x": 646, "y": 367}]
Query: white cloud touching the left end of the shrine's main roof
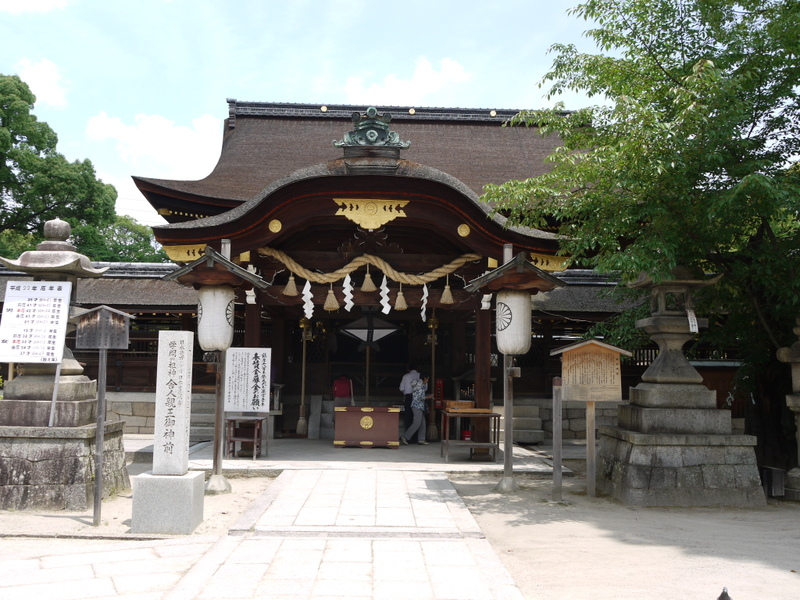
[{"x": 156, "y": 146}]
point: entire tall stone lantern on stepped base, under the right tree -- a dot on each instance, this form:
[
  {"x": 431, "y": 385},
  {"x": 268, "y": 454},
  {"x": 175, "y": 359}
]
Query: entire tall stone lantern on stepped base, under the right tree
[{"x": 672, "y": 445}]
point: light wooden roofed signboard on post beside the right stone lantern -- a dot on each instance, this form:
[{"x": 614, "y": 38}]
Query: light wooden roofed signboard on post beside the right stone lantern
[{"x": 590, "y": 371}]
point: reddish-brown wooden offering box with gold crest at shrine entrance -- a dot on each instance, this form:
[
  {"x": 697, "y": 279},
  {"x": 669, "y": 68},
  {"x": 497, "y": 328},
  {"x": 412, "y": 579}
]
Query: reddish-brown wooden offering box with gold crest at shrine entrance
[{"x": 366, "y": 426}]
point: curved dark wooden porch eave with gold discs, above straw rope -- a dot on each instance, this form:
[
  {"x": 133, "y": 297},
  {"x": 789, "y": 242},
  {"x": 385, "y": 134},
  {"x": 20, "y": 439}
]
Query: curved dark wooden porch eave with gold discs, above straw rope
[{"x": 437, "y": 206}]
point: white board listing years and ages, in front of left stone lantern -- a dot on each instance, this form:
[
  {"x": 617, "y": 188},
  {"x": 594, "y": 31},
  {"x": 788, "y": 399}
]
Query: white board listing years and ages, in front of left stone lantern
[{"x": 34, "y": 321}]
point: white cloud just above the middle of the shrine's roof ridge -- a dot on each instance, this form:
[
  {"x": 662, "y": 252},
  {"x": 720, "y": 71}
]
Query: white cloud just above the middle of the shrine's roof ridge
[{"x": 426, "y": 81}]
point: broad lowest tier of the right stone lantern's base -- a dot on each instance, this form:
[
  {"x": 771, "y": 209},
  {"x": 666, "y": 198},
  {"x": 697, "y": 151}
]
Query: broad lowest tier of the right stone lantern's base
[{"x": 641, "y": 469}]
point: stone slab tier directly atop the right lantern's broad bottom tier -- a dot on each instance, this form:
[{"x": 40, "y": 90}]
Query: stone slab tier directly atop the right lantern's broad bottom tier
[{"x": 675, "y": 420}]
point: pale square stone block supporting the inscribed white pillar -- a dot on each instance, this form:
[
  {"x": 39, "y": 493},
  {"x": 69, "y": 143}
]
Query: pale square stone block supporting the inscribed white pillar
[{"x": 167, "y": 503}]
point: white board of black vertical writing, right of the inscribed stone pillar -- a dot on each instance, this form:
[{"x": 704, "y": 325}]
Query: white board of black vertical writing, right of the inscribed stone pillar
[{"x": 247, "y": 379}]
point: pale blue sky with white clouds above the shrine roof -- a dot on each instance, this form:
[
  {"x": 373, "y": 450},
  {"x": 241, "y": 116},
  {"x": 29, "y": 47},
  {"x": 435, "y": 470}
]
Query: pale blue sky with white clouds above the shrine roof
[{"x": 139, "y": 87}]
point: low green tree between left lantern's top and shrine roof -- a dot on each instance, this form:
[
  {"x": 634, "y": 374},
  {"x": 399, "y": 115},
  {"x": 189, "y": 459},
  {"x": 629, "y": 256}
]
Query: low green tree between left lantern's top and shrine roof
[{"x": 124, "y": 240}]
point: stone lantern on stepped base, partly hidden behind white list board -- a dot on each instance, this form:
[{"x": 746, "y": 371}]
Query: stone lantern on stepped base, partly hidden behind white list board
[{"x": 47, "y": 415}]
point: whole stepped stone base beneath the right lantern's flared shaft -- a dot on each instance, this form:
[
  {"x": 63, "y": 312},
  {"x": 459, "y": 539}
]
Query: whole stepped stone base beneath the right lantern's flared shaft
[{"x": 673, "y": 447}]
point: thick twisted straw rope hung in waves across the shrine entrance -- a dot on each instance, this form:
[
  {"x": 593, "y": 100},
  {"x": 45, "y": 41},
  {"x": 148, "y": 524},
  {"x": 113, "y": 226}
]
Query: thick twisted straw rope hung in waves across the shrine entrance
[{"x": 367, "y": 259}]
